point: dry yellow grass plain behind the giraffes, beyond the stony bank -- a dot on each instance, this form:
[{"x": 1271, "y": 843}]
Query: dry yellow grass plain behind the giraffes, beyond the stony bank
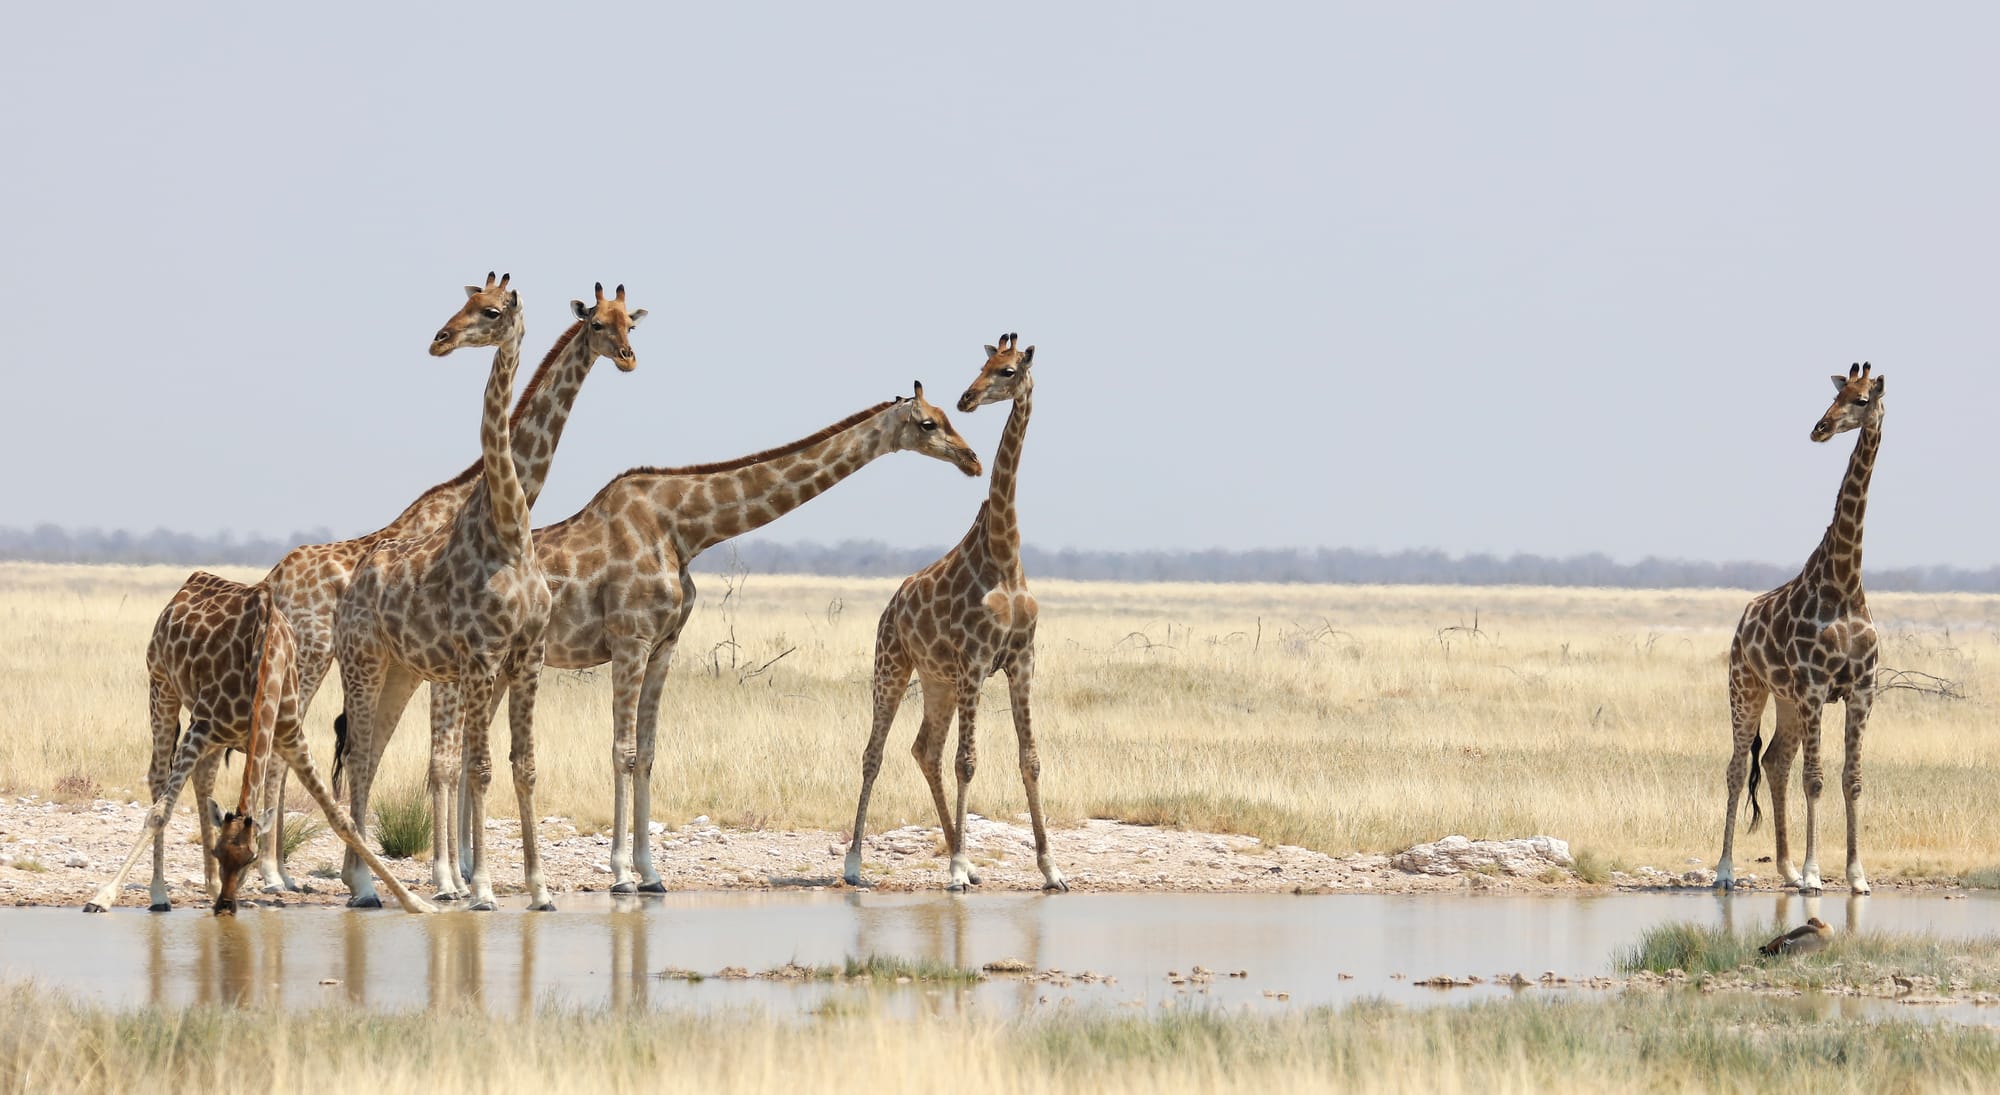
[{"x": 1337, "y": 718}]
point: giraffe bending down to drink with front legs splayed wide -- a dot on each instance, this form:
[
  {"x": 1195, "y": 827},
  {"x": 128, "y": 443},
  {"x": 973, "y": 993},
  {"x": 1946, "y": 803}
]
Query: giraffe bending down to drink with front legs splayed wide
[{"x": 257, "y": 716}]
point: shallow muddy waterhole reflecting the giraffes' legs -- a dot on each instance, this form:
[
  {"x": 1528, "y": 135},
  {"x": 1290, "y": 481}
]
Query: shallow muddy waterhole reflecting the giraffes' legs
[{"x": 607, "y": 950}]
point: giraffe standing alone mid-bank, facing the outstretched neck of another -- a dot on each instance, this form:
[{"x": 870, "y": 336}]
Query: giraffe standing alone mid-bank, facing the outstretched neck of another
[{"x": 955, "y": 624}]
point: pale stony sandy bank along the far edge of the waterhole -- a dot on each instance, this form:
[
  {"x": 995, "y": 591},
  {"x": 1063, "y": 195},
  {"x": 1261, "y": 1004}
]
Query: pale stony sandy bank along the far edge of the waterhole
[{"x": 57, "y": 854}]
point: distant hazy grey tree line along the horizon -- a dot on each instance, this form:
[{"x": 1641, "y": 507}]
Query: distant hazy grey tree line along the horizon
[{"x": 867, "y": 558}]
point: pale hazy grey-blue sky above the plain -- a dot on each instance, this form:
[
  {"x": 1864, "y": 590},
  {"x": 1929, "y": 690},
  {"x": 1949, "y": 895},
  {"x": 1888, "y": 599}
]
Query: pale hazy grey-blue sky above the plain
[{"x": 1461, "y": 277}]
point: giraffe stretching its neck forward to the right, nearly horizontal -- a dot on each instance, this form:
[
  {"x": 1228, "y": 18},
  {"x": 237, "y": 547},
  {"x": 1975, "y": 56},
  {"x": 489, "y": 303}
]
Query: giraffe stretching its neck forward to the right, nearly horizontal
[{"x": 619, "y": 572}]
